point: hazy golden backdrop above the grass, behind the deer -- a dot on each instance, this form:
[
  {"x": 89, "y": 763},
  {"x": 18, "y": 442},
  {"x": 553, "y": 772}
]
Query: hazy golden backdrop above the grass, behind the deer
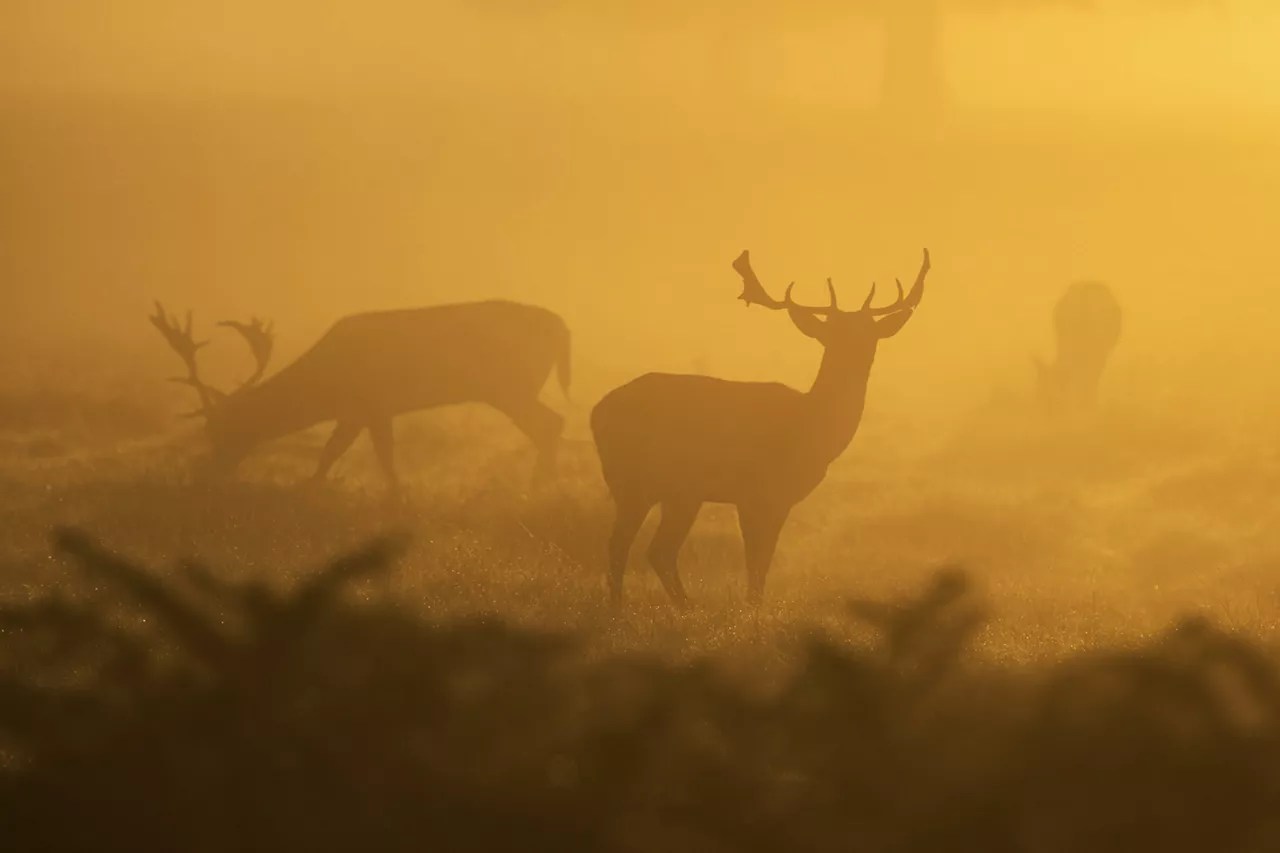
[{"x": 304, "y": 161}]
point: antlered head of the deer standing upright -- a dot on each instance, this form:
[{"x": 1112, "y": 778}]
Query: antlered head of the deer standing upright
[{"x": 854, "y": 332}]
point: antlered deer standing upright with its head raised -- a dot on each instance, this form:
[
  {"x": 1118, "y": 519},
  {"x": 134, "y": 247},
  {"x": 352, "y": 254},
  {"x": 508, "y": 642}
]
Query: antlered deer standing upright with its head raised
[{"x": 683, "y": 441}]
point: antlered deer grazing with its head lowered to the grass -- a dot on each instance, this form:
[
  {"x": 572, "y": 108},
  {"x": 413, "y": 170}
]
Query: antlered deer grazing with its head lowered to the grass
[{"x": 369, "y": 368}]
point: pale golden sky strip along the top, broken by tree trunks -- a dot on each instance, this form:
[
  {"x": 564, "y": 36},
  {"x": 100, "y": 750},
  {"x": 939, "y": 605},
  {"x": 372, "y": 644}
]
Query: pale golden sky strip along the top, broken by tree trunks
[{"x": 1164, "y": 60}]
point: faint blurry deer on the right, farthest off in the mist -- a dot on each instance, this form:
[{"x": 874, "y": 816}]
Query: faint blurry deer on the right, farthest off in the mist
[{"x": 1087, "y": 323}]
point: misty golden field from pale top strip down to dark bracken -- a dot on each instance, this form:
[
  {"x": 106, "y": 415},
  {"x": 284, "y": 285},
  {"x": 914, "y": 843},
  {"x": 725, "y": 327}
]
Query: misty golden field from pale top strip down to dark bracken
[{"x": 627, "y": 226}]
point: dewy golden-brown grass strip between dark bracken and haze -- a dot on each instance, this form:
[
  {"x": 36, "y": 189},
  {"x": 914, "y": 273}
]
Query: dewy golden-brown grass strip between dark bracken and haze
[{"x": 1082, "y": 539}]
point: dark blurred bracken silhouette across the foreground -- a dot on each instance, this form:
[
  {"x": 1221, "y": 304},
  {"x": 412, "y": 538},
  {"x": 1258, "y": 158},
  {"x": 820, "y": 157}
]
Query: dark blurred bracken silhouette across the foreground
[{"x": 199, "y": 715}]
